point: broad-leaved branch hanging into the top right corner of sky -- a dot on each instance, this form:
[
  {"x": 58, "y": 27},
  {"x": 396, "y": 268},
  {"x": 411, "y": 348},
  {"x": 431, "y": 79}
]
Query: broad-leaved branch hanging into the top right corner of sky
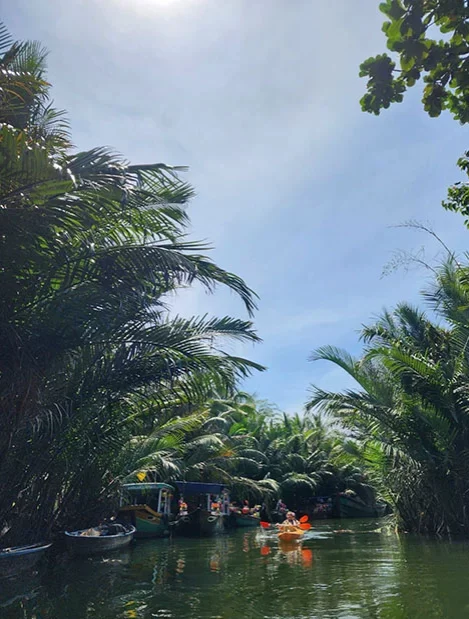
[{"x": 430, "y": 42}]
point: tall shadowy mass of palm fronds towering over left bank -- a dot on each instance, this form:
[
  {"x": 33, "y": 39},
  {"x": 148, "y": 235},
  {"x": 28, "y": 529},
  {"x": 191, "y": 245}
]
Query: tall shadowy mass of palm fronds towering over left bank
[{"x": 95, "y": 248}]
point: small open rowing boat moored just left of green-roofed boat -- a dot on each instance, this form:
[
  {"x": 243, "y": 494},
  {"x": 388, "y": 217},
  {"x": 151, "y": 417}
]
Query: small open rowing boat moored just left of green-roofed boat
[{"x": 98, "y": 540}]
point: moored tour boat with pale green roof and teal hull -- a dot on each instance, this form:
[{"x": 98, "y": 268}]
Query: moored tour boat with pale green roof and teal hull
[{"x": 147, "y": 506}]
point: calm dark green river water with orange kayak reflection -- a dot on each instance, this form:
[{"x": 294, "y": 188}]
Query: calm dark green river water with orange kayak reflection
[{"x": 246, "y": 574}]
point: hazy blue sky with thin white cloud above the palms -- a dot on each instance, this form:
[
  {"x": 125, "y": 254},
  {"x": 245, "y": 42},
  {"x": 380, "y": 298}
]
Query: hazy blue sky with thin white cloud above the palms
[{"x": 298, "y": 191}]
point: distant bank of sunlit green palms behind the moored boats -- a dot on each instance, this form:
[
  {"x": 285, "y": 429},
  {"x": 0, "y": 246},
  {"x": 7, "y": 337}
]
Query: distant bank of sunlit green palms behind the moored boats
[{"x": 259, "y": 452}]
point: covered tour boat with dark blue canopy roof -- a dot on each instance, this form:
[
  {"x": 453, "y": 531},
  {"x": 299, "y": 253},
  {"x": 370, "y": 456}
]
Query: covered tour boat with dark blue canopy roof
[{"x": 206, "y": 511}]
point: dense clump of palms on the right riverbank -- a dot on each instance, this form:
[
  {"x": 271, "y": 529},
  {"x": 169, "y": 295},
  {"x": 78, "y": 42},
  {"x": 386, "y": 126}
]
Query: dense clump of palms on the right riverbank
[{"x": 409, "y": 414}]
